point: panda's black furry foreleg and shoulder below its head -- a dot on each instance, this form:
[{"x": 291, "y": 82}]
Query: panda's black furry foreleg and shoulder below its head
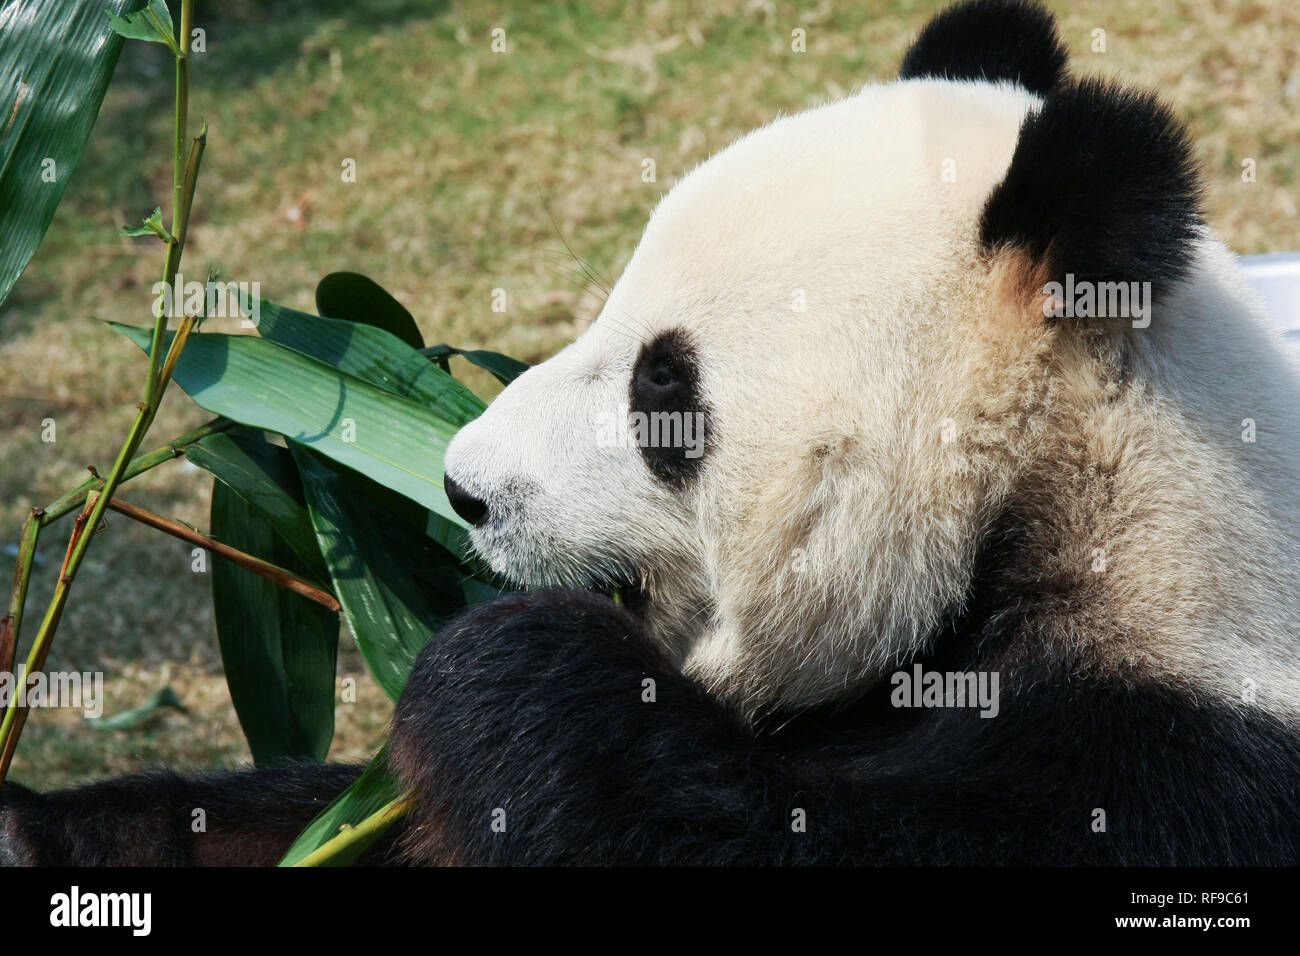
[{"x": 534, "y": 706}]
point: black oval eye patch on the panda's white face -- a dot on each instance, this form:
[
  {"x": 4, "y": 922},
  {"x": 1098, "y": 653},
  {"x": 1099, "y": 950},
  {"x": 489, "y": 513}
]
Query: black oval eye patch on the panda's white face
[{"x": 668, "y": 413}]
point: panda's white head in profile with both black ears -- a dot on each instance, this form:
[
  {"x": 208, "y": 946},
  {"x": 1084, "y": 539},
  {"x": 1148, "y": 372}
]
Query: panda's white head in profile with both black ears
[{"x": 827, "y": 364}]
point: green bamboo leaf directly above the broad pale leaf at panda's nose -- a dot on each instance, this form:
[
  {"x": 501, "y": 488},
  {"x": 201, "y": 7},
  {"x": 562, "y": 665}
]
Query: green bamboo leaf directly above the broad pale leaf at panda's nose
[{"x": 372, "y": 354}]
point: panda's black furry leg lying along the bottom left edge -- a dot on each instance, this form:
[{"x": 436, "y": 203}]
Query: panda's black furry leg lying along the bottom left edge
[{"x": 252, "y": 819}]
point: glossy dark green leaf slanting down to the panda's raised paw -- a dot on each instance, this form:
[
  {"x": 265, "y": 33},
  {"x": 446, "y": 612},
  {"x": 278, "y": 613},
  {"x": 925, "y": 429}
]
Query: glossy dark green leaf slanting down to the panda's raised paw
[{"x": 397, "y": 586}]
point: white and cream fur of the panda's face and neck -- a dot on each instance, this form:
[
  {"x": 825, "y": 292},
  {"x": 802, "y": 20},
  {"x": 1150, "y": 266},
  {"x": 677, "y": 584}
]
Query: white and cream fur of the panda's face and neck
[{"x": 833, "y": 526}]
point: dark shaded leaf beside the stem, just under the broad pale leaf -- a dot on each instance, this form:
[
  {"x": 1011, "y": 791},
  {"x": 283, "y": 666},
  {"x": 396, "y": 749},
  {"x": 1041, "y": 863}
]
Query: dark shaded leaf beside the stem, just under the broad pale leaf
[{"x": 266, "y": 477}]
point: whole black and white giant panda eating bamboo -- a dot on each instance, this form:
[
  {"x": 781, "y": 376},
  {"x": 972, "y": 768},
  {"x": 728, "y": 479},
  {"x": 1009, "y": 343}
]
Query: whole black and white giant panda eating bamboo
[{"x": 911, "y": 458}]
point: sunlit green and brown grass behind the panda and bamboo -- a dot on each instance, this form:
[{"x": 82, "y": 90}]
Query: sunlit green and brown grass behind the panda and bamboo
[{"x": 471, "y": 166}]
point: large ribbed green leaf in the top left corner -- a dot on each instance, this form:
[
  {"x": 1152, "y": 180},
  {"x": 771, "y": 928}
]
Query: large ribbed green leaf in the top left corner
[{"x": 57, "y": 58}]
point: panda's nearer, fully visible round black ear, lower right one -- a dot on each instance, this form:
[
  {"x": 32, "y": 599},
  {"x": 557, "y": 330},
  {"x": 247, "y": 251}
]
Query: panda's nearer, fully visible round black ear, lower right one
[{"x": 1102, "y": 188}]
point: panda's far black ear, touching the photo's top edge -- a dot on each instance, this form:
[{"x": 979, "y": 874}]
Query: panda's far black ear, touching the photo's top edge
[{"x": 990, "y": 40}]
